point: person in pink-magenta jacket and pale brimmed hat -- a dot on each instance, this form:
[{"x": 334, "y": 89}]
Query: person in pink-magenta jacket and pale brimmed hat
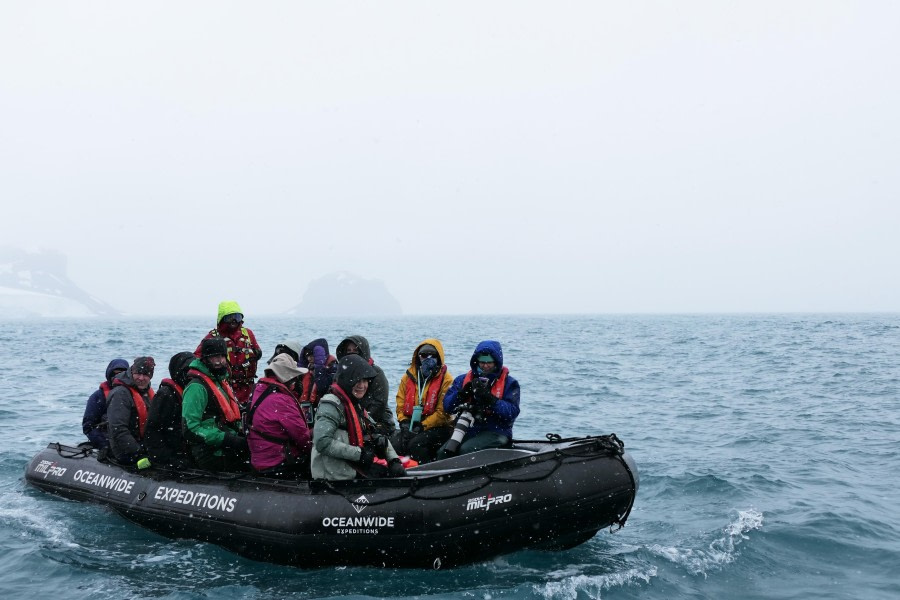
[{"x": 279, "y": 439}]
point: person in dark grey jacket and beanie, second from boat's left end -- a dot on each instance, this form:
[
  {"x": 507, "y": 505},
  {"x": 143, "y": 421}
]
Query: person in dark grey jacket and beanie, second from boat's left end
[{"x": 129, "y": 403}]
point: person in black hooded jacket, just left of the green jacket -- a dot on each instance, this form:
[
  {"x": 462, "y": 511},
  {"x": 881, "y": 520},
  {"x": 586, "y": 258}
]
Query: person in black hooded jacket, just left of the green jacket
[{"x": 163, "y": 438}]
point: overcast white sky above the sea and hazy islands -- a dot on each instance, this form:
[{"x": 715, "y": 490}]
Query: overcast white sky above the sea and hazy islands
[{"x": 478, "y": 157}]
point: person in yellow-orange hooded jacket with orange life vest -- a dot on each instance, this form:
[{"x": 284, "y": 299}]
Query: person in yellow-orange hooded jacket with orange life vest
[{"x": 424, "y": 426}]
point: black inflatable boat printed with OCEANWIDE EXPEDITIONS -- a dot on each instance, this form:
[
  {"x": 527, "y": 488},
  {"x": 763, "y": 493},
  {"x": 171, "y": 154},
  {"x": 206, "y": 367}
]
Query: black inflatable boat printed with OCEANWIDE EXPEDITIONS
[{"x": 552, "y": 494}]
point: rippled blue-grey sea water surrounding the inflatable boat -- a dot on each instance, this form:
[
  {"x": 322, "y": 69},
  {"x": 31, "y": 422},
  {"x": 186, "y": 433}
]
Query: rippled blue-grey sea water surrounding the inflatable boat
[{"x": 767, "y": 446}]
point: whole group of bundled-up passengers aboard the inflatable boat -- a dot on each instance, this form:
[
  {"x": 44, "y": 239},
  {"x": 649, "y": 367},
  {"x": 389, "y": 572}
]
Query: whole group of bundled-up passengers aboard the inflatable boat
[{"x": 311, "y": 414}]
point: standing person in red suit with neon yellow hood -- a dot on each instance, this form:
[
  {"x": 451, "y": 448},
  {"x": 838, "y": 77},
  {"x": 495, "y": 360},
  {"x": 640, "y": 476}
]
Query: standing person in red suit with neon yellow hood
[{"x": 243, "y": 350}]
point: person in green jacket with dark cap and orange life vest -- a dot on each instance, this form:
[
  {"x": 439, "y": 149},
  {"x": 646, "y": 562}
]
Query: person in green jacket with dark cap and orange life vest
[{"x": 211, "y": 418}]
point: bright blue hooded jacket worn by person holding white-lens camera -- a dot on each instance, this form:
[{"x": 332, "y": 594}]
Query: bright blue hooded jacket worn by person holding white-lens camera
[{"x": 505, "y": 409}]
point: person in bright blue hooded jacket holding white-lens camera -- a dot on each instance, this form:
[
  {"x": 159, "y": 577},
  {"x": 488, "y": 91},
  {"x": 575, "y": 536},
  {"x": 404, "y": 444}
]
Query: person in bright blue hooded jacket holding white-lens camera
[{"x": 490, "y": 395}]
